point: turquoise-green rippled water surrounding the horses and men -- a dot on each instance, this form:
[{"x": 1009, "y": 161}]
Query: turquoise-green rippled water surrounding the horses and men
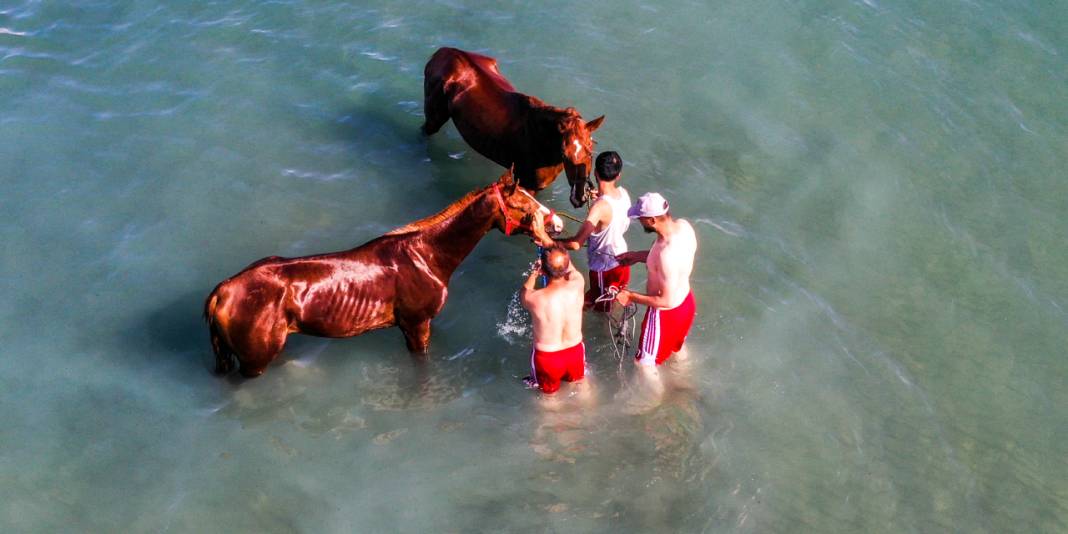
[{"x": 883, "y": 276}]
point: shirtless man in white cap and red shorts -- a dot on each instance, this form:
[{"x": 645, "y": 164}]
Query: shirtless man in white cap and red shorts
[{"x": 668, "y": 295}]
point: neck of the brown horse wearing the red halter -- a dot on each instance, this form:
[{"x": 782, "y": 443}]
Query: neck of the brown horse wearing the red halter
[{"x": 447, "y": 244}]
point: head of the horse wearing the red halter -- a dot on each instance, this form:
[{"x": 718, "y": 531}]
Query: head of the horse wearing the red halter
[{"x": 520, "y": 211}]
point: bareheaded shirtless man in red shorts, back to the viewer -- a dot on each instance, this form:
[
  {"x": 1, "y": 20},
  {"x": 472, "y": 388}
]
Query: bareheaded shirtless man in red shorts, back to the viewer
[{"x": 559, "y": 353}]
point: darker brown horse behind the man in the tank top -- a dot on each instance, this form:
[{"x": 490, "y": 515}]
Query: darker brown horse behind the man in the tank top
[{"x": 506, "y": 127}]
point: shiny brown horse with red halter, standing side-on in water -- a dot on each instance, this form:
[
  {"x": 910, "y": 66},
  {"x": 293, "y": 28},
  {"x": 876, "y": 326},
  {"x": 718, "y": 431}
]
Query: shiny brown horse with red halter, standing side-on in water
[{"x": 401, "y": 279}]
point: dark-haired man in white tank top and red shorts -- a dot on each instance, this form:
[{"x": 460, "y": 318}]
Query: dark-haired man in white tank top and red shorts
[{"x": 603, "y": 232}]
